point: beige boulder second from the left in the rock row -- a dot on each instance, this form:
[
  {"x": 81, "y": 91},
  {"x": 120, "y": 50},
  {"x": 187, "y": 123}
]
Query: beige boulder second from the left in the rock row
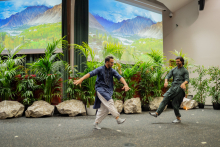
[{"x": 39, "y": 109}]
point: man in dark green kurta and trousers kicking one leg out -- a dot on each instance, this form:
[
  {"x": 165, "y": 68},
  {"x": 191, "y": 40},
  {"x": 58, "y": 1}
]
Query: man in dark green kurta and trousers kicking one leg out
[{"x": 176, "y": 93}]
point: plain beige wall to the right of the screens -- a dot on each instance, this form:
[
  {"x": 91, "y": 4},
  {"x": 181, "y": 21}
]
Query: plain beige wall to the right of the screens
[{"x": 198, "y": 34}]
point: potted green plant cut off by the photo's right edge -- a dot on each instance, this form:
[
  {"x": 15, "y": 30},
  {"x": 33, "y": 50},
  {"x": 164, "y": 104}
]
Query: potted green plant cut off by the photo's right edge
[{"x": 214, "y": 91}]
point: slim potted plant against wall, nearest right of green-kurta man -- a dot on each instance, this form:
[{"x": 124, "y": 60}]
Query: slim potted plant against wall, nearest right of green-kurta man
[{"x": 200, "y": 85}]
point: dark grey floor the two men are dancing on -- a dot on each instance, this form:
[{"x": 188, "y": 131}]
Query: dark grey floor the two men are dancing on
[{"x": 200, "y": 127}]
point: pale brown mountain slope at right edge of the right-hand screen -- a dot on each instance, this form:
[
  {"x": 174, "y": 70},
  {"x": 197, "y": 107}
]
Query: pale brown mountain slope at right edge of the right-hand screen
[{"x": 154, "y": 31}]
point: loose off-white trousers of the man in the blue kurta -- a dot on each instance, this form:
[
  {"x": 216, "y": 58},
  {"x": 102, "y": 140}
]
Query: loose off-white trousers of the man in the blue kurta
[{"x": 105, "y": 108}]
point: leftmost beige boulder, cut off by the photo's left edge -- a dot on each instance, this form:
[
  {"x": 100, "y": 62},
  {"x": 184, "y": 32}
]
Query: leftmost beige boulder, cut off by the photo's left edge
[{"x": 10, "y": 109}]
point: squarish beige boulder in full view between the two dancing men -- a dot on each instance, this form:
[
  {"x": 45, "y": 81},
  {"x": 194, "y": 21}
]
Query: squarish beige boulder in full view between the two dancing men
[{"x": 132, "y": 105}]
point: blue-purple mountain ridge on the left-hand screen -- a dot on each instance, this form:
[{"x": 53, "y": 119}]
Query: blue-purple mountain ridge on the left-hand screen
[{"x": 22, "y": 17}]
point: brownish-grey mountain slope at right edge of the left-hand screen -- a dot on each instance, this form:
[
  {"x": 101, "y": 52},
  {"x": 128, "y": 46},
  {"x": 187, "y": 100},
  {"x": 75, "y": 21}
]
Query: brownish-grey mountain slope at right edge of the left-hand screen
[{"x": 52, "y": 15}]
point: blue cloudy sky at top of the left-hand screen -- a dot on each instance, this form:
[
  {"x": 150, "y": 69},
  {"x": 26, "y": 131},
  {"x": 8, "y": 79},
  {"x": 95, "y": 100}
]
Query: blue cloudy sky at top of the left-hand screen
[{"x": 7, "y": 8}]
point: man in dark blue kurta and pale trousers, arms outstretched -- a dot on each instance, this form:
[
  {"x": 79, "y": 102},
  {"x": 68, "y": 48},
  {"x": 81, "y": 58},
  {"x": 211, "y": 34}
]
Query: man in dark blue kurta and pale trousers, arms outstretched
[{"x": 104, "y": 90}]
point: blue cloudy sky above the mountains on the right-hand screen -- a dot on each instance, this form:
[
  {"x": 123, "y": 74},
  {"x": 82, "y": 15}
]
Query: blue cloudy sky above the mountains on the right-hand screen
[{"x": 116, "y": 11}]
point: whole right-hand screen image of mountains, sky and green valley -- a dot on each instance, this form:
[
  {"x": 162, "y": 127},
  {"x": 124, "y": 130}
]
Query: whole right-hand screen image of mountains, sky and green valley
[{"x": 134, "y": 29}]
